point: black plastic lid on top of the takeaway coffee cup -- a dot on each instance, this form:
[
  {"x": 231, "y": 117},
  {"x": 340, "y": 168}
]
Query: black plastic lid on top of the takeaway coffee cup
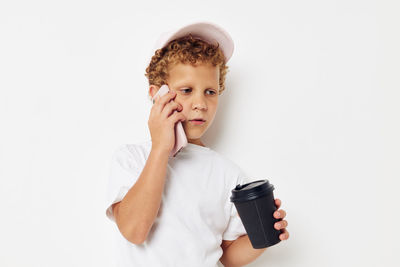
[{"x": 251, "y": 190}]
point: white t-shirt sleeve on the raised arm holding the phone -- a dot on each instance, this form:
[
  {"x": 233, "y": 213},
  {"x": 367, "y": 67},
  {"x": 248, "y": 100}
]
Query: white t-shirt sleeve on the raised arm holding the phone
[{"x": 124, "y": 171}]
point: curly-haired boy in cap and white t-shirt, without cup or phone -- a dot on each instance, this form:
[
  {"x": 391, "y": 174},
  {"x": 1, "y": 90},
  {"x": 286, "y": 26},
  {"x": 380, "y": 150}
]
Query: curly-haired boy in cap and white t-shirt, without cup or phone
[{"x": 176, "y": 211}]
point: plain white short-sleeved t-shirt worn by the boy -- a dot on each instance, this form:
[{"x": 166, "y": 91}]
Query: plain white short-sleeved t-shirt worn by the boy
[{"x": 195, "y": 213}]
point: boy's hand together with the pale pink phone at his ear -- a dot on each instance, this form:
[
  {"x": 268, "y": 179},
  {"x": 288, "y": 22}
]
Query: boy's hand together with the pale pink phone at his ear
[{"x": 165, "y": 122}]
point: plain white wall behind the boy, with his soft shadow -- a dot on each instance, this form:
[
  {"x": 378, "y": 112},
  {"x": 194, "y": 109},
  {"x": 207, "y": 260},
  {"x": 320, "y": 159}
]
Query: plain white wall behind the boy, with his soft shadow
[{"x": 312, "y": 104}]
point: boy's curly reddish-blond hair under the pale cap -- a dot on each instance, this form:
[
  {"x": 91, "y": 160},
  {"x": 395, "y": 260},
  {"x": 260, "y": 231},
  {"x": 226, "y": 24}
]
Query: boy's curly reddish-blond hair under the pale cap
[{"x": 186, "y": 50}]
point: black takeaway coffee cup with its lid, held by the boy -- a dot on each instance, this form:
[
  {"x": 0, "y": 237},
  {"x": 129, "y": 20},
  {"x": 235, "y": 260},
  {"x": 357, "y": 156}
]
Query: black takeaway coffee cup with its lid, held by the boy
[{"x": 255, "y": 204}]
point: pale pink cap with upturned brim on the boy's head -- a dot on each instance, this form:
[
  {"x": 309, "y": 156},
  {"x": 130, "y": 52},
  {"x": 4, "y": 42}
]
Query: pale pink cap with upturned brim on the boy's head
[{"x": 206, "y": 31}]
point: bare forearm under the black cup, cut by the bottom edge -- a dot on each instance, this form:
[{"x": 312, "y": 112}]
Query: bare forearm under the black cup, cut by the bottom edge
[{"x": 240, "y": 253}]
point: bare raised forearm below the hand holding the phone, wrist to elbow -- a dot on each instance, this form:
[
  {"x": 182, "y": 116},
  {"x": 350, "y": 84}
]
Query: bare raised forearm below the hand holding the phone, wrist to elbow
[{"x": 136, "y": 213}]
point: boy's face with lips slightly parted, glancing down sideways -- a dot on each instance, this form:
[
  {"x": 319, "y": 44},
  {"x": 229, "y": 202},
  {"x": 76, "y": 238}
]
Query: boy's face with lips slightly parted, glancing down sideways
[{"x": 197, "y": 90}]
